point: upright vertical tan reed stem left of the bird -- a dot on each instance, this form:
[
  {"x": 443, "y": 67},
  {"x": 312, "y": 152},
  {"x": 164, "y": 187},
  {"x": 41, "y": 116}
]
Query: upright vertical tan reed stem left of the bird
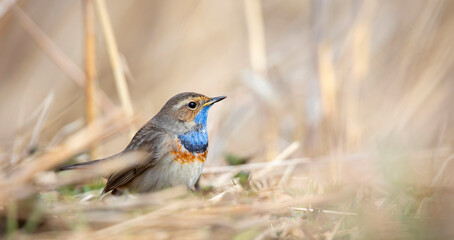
[{"x": 90, "y": 68}]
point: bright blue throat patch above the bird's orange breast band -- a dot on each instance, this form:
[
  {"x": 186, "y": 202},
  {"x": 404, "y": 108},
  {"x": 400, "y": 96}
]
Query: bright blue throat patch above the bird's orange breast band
[{"x": 196, "y": 140}]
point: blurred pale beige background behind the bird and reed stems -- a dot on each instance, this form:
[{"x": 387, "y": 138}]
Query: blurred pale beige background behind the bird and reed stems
[{"x": 341, "y": 75}]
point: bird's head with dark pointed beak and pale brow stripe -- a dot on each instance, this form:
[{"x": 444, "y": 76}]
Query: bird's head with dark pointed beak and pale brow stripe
[{"x": 187, "y": 110}]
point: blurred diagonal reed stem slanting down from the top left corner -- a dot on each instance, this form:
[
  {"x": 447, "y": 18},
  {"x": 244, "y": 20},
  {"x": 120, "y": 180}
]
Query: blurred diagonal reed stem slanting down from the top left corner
[{"x": 58, "y": 56}]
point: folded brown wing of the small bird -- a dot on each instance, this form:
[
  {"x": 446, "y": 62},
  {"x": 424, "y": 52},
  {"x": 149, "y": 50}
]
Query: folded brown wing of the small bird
[{"x": 149, "y": 140}]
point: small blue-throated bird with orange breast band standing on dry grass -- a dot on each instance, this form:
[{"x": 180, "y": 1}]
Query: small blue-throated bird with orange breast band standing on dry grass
[{"x": 175, "y": 143}]
